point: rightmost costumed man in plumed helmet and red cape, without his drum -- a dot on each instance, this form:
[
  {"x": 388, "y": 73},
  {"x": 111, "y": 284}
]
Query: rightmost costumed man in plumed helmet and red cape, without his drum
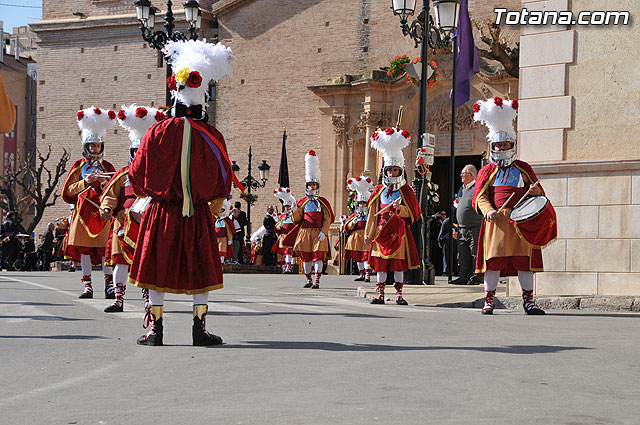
[{"x": 501, "y": 251}]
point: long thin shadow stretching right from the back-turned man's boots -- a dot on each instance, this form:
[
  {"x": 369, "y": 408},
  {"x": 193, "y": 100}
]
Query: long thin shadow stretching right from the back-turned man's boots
[{"x": 332, "y": 346}]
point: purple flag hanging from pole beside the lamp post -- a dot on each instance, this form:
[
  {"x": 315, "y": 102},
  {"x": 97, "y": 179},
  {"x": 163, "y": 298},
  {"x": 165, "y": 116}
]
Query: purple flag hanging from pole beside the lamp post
[{"x": 467, "y": 65}]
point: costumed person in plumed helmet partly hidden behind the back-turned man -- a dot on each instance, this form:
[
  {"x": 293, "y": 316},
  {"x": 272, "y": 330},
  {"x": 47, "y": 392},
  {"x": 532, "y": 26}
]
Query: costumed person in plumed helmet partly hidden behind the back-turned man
[{"x": 118, "y": 197}]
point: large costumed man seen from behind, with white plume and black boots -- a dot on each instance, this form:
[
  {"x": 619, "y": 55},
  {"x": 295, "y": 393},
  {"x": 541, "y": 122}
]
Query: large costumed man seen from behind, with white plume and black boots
[{"x": 183, "y": 166}]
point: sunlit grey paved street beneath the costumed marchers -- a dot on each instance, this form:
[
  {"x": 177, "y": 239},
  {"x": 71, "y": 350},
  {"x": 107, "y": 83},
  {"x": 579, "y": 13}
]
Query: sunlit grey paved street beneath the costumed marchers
[{"x": 294, "y": 356}]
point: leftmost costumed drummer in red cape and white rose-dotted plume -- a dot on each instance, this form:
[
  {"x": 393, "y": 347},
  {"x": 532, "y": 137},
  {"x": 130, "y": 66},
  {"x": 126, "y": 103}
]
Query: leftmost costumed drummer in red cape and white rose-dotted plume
[{"x": 88, "y": 231}]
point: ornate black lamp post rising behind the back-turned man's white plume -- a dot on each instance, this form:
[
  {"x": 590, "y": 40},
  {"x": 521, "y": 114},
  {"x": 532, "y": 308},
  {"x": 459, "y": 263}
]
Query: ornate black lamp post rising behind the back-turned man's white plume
[{"x": 146, "y": 14}]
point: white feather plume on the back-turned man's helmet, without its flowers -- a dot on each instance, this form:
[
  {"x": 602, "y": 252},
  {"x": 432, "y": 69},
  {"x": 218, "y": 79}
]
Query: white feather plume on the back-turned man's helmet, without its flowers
[{"x": 212, "y": 61}]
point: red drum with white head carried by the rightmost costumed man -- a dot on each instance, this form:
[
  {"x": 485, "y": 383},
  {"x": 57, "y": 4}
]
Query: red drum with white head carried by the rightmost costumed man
[{"x": 534, "y": 219}]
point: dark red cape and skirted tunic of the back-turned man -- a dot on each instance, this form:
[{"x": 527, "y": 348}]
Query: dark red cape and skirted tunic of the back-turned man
[{"x": 174, "y": 253}]
